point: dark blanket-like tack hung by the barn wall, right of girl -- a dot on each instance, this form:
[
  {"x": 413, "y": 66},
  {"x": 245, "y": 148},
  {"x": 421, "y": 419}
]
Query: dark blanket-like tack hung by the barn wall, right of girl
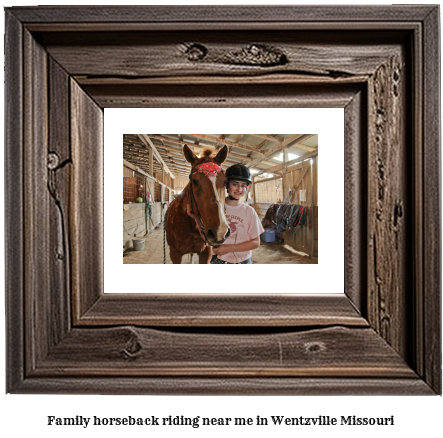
[{"x": 280, "y": 216}]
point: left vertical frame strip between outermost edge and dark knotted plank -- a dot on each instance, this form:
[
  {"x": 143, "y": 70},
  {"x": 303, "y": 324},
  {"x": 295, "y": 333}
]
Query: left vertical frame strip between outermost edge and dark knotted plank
[{"x": 36, "y": 202}]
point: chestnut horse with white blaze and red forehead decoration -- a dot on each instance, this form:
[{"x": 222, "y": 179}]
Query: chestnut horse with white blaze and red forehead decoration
[{"x": 206, "y": 226}]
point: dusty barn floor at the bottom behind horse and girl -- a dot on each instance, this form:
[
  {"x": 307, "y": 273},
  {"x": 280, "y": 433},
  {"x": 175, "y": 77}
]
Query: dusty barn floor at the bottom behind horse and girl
[{"x": 267, "y": 253}]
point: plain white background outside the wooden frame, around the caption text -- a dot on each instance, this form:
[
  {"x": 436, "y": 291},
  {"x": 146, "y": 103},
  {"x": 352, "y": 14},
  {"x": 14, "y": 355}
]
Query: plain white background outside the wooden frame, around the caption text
[{"x": 26, "y": 414}]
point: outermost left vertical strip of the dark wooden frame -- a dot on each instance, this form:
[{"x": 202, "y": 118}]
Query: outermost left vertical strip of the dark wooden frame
[{"x": 14, "y": 242}]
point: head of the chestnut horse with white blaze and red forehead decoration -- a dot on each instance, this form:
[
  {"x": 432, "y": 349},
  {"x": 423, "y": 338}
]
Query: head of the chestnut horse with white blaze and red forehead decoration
[{"x": 206, "y": 187}]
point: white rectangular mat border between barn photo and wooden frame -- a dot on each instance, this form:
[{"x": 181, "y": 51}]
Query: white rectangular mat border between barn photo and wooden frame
[{"x": 326, "y": 277}]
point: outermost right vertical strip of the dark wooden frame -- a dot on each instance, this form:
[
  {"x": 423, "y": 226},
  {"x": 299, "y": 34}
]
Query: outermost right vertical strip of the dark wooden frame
[{"x": 431, "y": 316}]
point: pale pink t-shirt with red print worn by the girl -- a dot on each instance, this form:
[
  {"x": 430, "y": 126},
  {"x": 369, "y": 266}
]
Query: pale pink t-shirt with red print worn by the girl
[{"x": 245, "y": 225}]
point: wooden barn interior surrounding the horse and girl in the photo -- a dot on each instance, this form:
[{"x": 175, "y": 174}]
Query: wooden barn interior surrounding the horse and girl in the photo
[{"x": 283, "y": 193}]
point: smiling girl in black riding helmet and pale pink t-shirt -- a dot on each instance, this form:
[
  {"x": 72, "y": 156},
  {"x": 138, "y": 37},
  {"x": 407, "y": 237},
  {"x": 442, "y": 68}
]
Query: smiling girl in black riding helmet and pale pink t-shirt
[{"x": 242, "y": 219}]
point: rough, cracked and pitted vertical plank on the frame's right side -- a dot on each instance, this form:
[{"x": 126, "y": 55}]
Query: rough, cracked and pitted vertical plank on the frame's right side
[{"x": 388, "y": 201}]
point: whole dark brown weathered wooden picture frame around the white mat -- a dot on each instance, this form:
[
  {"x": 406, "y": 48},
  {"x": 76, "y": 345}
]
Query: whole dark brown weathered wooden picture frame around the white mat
[{"x": 64, "y": 65}]
